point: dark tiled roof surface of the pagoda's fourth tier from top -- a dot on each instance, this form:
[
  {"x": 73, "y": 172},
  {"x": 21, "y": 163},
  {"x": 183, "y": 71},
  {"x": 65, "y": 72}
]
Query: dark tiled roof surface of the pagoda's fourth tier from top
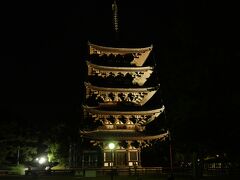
[{"x": 123, "y": 110}]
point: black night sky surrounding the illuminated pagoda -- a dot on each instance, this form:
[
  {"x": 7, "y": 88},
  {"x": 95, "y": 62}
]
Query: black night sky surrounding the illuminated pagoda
[{"x": 196, "y": 46}]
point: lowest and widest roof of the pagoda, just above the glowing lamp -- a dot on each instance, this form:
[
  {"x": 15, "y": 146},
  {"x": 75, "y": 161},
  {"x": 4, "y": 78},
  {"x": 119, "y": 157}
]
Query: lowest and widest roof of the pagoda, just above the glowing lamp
[{"x": 119, "y": 135}]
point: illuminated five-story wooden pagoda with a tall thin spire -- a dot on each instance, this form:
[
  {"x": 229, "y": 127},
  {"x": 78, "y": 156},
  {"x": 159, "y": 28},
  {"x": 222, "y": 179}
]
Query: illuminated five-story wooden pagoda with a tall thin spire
[{"x": 117, "y": 107}]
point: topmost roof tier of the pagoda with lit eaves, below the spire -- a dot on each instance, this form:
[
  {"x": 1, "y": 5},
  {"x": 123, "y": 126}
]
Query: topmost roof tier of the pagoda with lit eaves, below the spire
[{"x": 139, "y": 54}]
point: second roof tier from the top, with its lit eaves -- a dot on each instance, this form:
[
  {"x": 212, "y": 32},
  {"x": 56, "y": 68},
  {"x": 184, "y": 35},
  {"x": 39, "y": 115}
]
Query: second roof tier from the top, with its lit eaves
[{"x": 139, "y": 75}]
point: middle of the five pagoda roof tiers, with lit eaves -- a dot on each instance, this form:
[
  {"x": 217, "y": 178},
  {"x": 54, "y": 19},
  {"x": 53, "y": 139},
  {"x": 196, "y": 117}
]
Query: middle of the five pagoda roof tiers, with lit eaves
[{"x": 104, "y": 95}]
